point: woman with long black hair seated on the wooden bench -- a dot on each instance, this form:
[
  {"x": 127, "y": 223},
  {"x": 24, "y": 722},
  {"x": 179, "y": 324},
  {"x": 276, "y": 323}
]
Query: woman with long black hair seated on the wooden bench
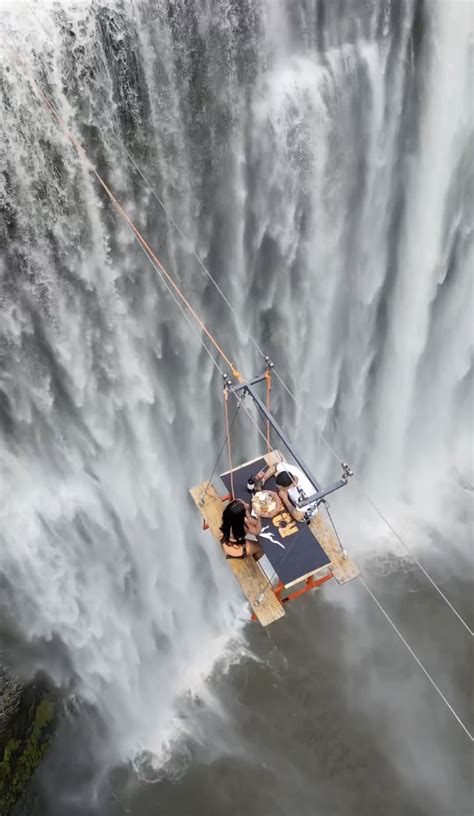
[{"x": 239, "y": 531}]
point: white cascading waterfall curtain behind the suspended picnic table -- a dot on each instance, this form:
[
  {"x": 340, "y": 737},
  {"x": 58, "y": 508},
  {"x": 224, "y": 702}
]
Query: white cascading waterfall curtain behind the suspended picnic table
[{"x": 316, "y": 157}]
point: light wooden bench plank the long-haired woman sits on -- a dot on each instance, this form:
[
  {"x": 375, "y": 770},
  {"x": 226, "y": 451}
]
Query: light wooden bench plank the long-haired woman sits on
[{"x": 253, "y": 582}]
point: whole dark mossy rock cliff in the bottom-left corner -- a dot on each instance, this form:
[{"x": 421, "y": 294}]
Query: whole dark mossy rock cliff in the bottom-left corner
[{"x": 27, "y": 716}]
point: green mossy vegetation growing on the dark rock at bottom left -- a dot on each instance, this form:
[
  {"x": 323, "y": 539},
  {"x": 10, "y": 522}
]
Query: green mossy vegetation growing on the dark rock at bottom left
[{"x": 21, "y": 758}]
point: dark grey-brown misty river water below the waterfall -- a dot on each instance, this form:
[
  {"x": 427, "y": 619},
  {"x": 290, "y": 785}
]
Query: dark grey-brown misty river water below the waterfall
[{"x": 332, "y": 718}]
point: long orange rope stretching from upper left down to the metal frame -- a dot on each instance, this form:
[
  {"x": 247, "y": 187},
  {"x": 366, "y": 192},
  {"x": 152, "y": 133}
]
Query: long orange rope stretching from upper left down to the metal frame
[{"x": 135, "y": 230}]
